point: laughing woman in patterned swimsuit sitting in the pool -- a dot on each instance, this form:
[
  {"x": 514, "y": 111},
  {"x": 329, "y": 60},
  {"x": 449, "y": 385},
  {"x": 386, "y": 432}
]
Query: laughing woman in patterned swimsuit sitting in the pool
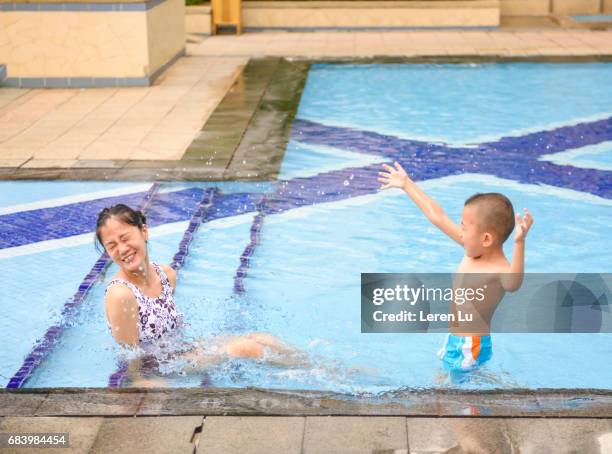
[{"x": 139, "y": 302}]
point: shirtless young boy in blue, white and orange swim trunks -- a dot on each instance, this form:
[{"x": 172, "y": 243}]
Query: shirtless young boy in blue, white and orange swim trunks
[{"x": 486, "y": 222}]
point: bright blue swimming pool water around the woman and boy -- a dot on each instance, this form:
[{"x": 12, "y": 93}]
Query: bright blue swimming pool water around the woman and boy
[{"x": 540, "y": 133}]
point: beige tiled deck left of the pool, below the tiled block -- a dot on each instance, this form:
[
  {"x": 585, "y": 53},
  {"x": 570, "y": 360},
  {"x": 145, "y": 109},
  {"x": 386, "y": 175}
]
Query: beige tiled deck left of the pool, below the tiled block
[{"x": 59, "y": 127}]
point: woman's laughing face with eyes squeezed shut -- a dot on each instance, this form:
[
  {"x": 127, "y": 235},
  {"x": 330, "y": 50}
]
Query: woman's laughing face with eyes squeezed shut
[{"x": 125, "y": 244}]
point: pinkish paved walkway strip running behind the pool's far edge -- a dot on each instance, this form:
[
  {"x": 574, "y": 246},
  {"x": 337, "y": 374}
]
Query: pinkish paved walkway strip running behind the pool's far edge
[{"x": 508, "y": 43}]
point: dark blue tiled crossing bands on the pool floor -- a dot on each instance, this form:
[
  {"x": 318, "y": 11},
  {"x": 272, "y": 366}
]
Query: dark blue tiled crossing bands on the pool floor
[{"x": 510, "y": 158}]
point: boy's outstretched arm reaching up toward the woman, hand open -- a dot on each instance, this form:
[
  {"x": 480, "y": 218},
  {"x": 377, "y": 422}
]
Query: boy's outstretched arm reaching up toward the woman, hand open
[{"x": 397, "y": 178}]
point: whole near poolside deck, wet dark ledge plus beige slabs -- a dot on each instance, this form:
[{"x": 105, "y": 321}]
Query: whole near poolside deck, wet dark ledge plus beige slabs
[{"x": 255, "y": 420}]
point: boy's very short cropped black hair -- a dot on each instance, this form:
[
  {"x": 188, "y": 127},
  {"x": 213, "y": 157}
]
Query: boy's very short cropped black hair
[{"x": 496, "y": 213}]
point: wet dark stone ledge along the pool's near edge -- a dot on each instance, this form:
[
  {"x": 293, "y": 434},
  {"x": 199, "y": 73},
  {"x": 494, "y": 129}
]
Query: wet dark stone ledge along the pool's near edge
[{"x": 578, "y": 403}]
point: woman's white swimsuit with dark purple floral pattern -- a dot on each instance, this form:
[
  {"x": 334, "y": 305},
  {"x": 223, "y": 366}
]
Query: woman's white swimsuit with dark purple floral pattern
[{"x": 156, "y": 316}]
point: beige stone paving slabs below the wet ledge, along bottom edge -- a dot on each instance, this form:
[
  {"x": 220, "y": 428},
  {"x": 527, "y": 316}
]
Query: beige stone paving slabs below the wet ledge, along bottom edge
[{"x": 318, "y": 435}]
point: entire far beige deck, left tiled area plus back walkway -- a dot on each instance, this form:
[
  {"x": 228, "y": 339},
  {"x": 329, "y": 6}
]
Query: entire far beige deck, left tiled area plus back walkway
[{"x": 111, "y": 128}]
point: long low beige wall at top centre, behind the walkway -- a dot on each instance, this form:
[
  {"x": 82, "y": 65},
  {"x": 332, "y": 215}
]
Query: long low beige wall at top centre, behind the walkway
[{"x": 304, "y": 15}]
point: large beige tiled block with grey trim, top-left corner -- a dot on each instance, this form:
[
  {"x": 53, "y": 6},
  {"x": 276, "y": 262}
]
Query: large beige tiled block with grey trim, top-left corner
[{"x": 61, "y": 44}]
